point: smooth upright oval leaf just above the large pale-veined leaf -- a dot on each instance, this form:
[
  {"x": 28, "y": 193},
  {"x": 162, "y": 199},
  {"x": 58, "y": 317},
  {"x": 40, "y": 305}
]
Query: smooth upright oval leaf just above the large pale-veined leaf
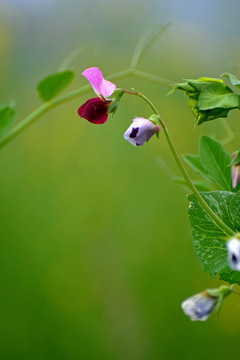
[{"x": 215, "y": 161}]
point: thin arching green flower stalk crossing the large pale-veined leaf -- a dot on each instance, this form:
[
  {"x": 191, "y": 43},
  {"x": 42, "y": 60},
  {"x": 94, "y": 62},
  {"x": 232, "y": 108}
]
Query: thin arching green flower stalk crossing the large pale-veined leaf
[{"x": 200, "y": 199}]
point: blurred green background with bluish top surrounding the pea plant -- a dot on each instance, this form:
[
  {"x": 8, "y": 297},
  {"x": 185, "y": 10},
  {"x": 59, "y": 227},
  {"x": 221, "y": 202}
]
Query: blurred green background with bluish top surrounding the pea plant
[{"x": 95, "y": 251}]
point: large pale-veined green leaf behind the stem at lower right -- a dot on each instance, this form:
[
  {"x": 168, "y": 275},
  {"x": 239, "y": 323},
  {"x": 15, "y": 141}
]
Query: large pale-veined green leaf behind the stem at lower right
[{"x": 209, "y": 240}]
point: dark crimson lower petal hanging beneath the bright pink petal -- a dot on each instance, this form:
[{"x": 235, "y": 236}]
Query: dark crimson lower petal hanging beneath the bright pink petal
[{"x": 94, "y": 110}]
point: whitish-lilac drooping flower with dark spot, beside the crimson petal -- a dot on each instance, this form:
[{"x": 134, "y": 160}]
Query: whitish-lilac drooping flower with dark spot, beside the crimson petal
[{"x": 140, "y": 131}]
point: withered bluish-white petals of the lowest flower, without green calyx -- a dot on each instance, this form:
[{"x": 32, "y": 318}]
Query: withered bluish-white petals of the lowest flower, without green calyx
[{"x": 199, "y": 307}]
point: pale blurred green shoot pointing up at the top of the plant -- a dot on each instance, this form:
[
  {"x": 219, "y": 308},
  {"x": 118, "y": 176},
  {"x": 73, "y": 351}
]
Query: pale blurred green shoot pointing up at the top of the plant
[{"x": 145, "y": 41}]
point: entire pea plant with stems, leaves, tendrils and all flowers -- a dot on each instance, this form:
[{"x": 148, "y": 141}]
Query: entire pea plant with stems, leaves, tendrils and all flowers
[{"x": 214, "y": 202}]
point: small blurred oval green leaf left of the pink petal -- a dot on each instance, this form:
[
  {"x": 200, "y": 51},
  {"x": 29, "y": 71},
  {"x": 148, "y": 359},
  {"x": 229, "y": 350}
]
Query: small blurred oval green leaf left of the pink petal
[{"x": 50, "y": 86}]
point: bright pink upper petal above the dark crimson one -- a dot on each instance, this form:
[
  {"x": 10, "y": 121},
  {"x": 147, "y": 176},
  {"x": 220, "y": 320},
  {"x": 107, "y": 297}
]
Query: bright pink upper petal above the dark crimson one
[{"x": 101, "y": 86}]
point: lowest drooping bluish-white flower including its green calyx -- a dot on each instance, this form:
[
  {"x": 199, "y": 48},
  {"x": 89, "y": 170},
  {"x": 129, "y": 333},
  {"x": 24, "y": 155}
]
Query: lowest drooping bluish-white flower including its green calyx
[{"x": 200, "y": 306}]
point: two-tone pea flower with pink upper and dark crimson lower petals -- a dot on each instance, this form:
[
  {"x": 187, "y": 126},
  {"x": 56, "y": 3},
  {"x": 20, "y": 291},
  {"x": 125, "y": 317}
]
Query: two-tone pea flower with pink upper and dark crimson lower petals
[{"x": 95, "y": 110}]
